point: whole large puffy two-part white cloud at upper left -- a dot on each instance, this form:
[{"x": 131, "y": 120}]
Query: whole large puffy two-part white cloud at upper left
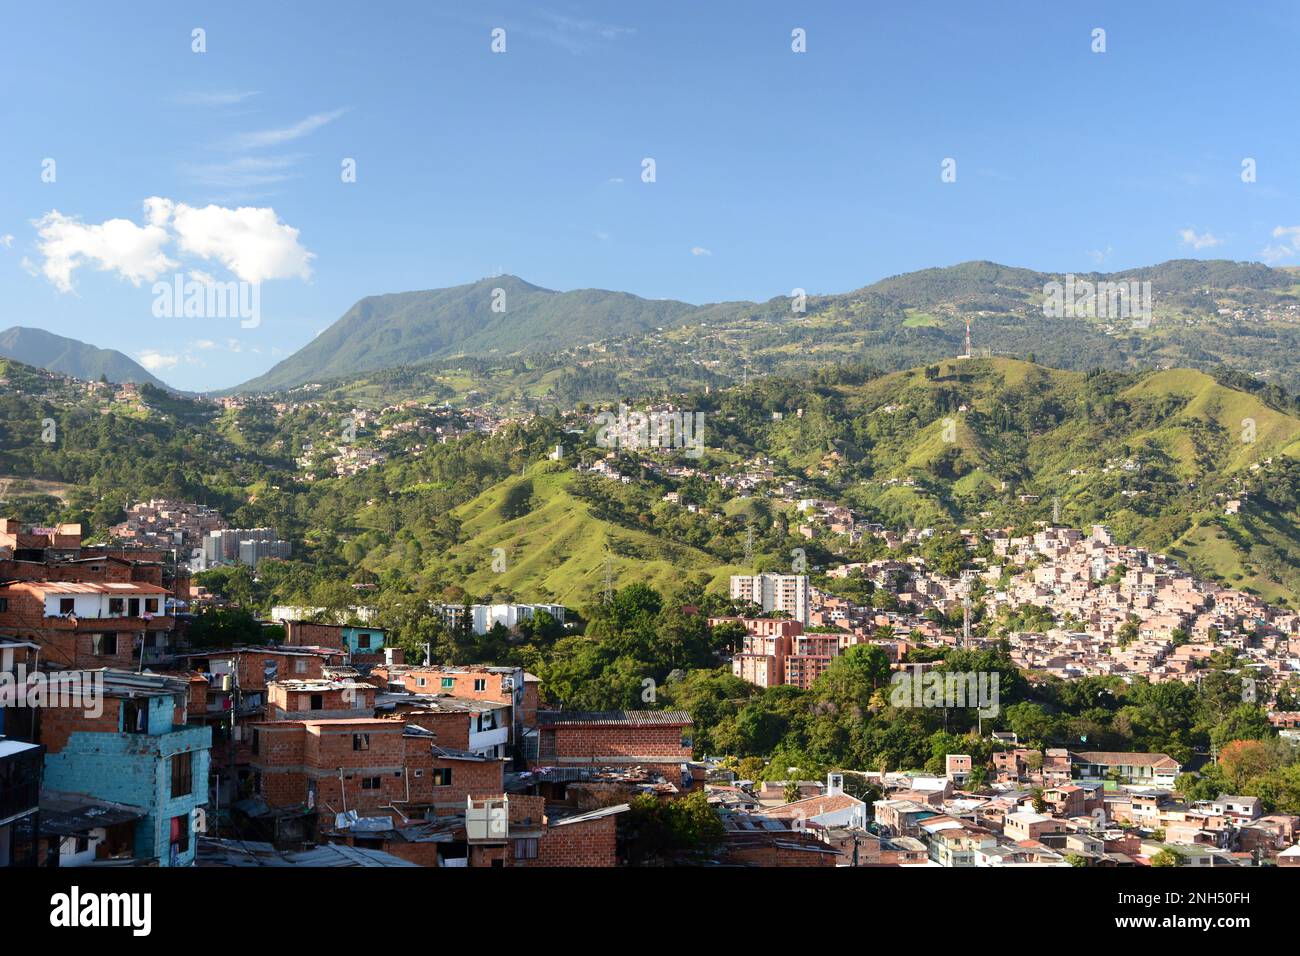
[{"x": 252, "y": 243}]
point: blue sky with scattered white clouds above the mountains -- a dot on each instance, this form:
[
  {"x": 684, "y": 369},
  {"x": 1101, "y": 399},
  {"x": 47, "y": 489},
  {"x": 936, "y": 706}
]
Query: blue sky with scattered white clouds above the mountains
[{"x": 774, "y": 170}]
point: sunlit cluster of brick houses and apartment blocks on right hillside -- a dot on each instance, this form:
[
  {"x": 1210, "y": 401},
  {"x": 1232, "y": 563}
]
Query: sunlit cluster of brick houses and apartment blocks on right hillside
[{"x": 1115, "y": 611}]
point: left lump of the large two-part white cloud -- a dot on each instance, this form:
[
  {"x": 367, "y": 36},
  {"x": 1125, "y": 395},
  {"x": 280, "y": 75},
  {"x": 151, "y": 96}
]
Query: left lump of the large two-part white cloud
[{"x": 122, "y": 246}]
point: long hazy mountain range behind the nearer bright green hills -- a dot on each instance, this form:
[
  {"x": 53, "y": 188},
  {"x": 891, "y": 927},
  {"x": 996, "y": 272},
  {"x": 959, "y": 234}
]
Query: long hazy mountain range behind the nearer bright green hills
[{"x": 1207, "y": 313}]
